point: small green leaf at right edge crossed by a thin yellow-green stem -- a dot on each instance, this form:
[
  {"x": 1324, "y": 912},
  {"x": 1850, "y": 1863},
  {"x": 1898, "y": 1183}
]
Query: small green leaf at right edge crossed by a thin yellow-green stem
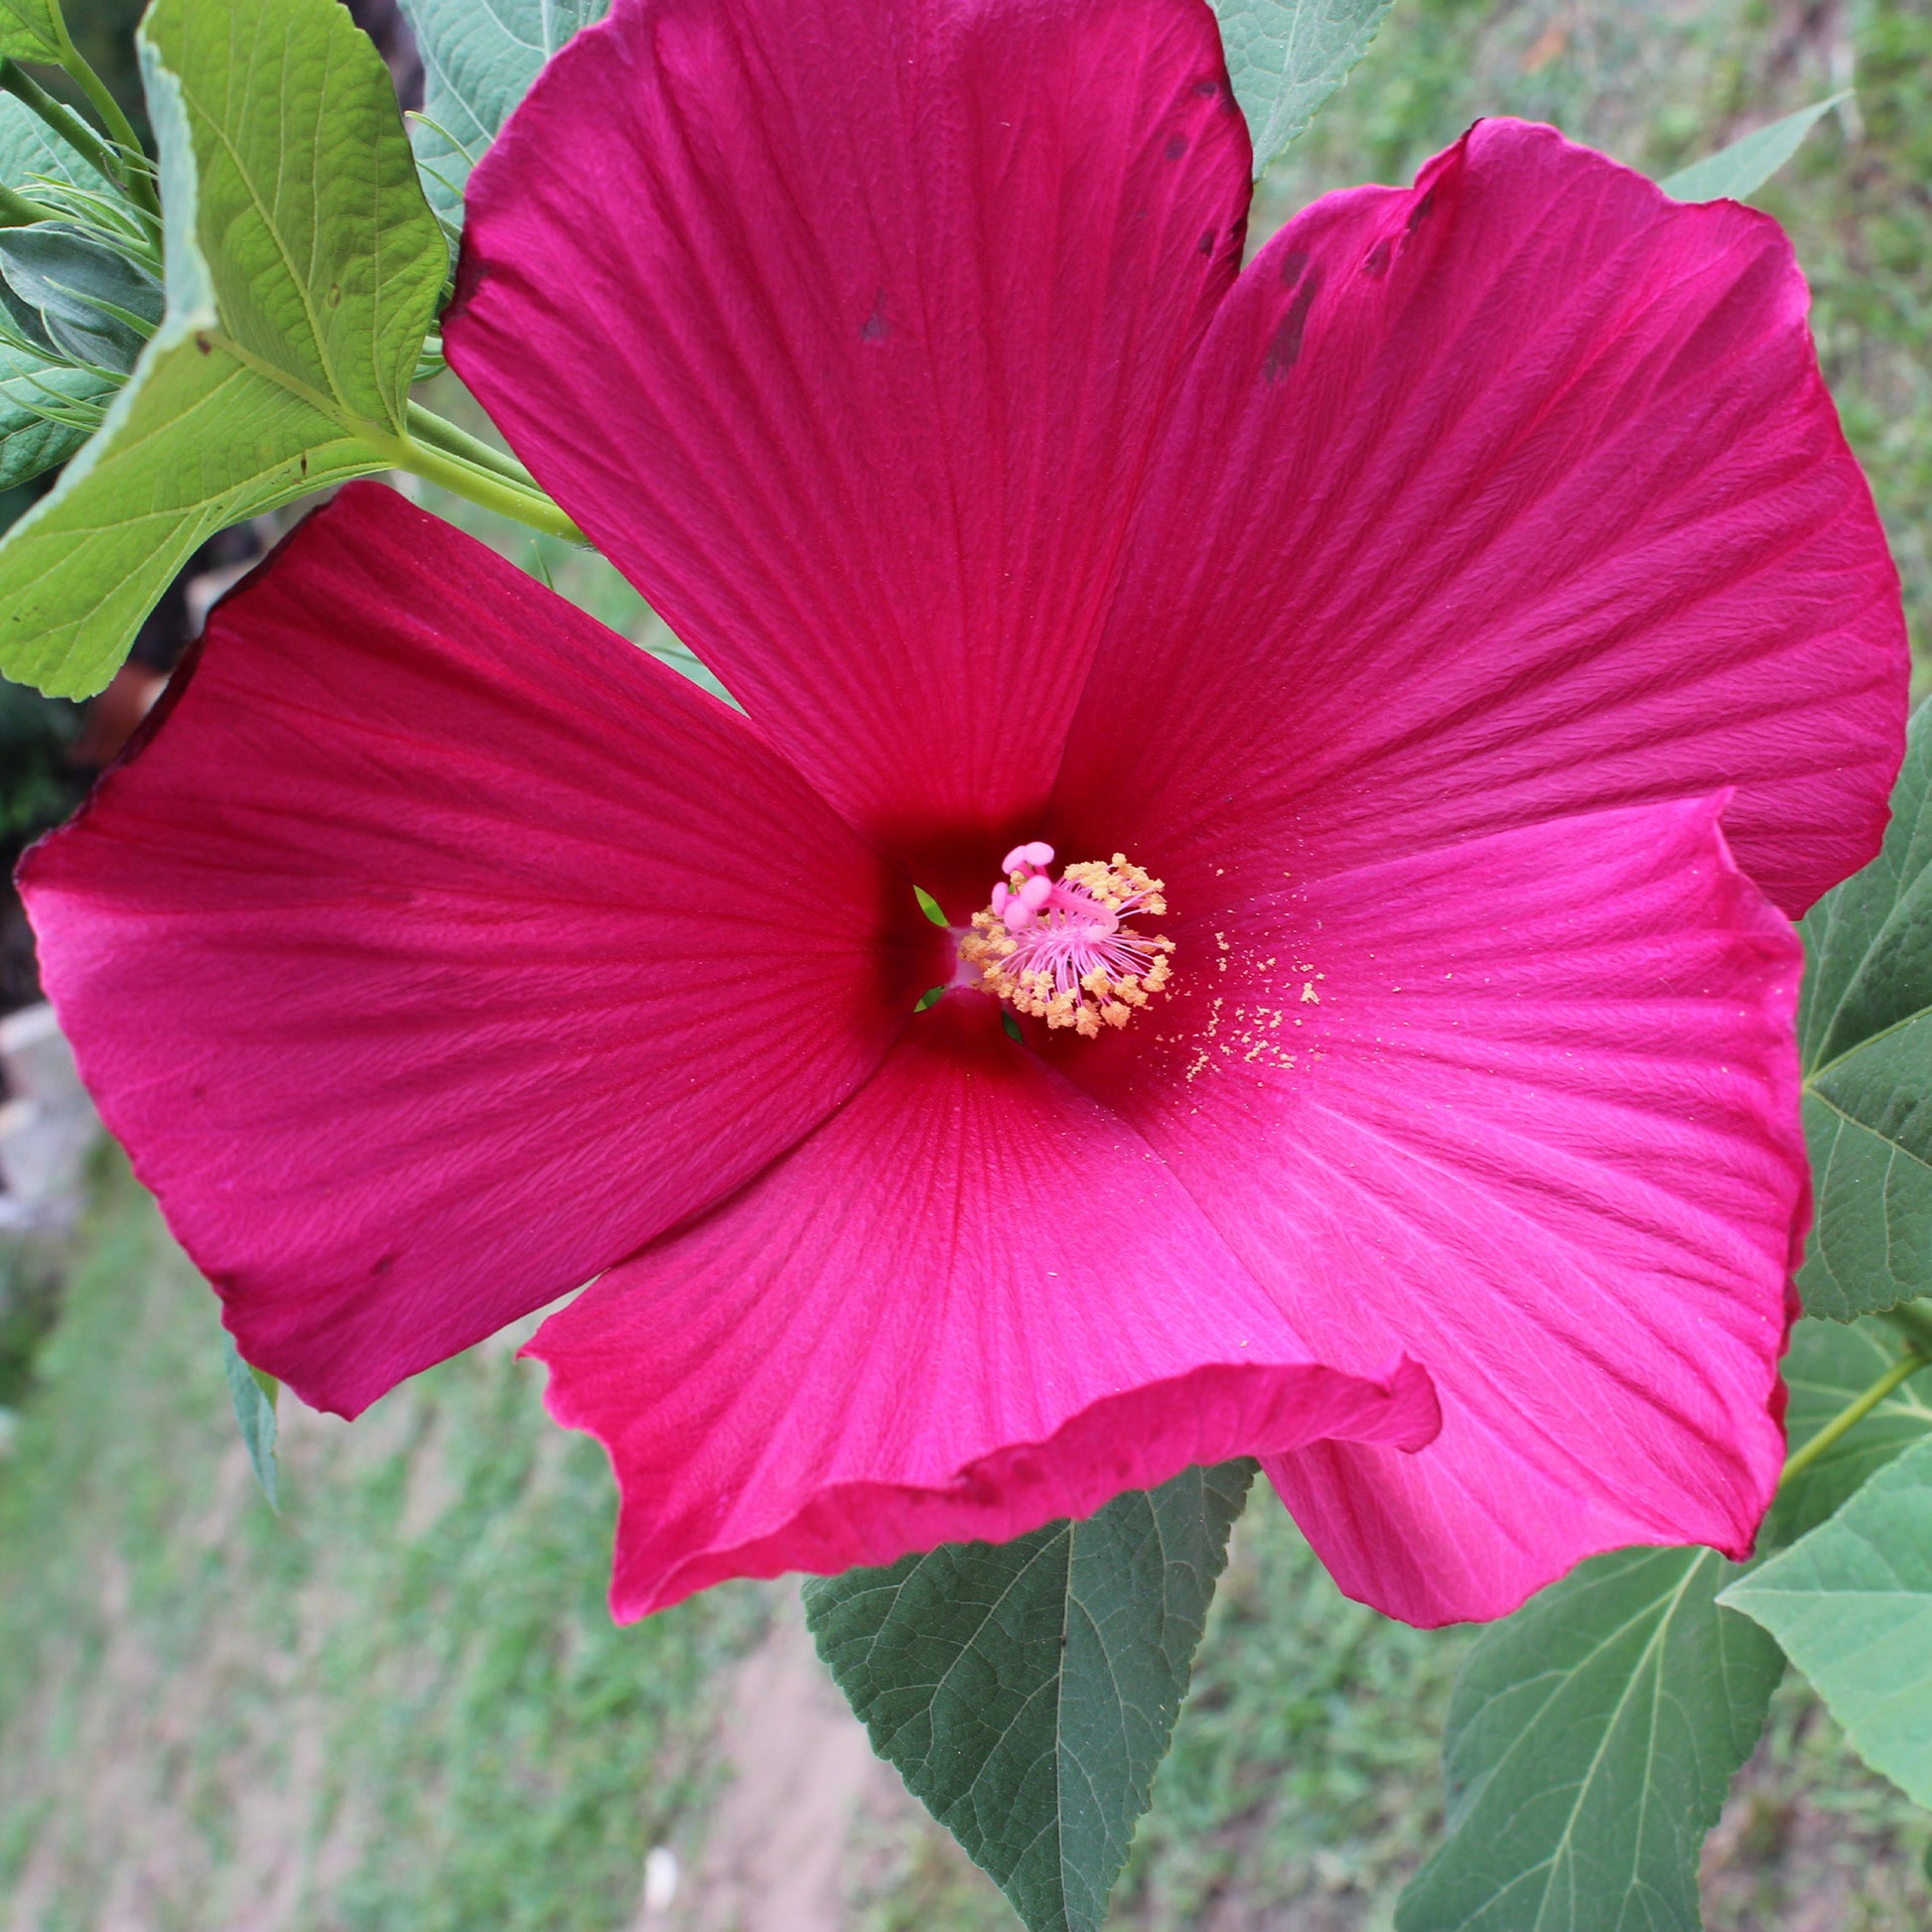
[{"x": 1827, "y": 1371}]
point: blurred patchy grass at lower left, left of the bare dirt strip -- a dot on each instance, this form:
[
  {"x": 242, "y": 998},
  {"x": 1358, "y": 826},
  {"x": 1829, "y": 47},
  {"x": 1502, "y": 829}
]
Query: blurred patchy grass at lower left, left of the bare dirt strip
[{"x": 399, "y": 1709}]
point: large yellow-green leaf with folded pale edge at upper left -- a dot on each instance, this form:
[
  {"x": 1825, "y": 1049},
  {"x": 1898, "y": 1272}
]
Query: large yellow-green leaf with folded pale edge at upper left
[{"x": 302, "y": 273}]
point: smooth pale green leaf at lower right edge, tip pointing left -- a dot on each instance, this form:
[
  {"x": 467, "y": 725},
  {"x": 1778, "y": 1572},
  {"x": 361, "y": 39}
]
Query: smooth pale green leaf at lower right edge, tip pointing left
[{"x": 1852, "y": 1606}]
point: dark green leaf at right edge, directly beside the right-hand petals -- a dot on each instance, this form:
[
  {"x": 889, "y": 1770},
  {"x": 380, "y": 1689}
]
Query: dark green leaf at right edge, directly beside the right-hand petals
[{"x": 1865, "y": 1040}]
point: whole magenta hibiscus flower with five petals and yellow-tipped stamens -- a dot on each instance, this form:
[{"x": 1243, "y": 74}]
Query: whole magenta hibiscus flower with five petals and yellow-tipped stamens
[{"x": 1415, "y": 679}]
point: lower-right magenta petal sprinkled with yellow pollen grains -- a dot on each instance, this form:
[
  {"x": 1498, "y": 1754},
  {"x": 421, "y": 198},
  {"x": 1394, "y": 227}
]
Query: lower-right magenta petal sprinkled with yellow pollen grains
[{"x": 1523, "y": 1110}]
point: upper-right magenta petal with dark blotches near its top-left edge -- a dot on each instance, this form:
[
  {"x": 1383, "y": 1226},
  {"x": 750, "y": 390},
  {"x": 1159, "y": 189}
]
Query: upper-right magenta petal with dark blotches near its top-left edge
[{"x": 1500, "y": 499}]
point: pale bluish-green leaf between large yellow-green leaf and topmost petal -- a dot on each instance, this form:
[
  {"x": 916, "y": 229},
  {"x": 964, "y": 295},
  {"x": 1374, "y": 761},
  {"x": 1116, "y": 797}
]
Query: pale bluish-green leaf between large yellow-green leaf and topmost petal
[{"x": 478, "y": 63}]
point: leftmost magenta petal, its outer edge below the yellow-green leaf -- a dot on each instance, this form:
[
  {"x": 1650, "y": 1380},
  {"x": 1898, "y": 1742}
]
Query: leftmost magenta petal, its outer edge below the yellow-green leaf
[{"x": 441, "y": 950}]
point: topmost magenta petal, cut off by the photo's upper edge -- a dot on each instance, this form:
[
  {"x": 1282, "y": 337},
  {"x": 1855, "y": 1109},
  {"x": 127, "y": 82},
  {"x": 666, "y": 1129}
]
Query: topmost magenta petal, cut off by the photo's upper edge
[{"x": 863, "y": 385}]
